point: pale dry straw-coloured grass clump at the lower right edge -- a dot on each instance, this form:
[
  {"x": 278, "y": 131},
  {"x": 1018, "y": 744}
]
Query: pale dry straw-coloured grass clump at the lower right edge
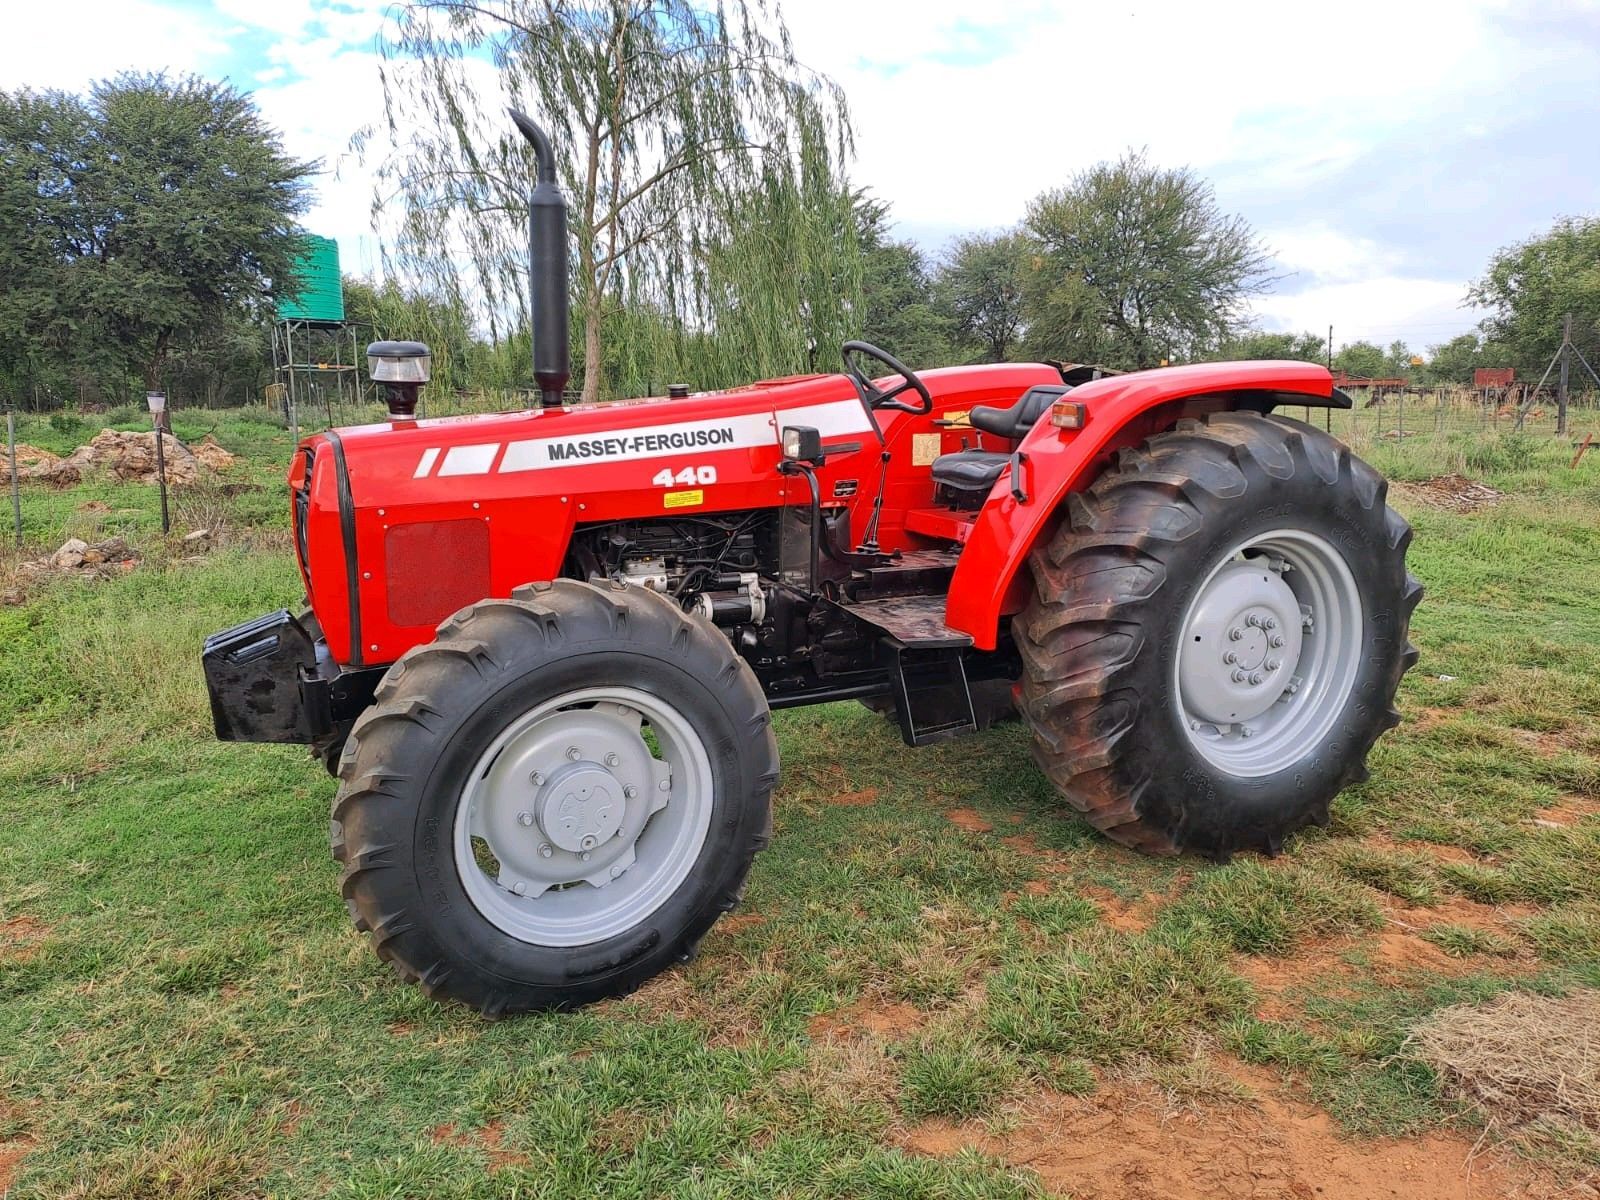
[{"x": 1532, "y": 1063}]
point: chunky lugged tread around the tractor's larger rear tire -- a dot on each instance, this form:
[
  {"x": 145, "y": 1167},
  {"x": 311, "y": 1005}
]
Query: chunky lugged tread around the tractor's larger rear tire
[{"x": 1079, "y": 705}]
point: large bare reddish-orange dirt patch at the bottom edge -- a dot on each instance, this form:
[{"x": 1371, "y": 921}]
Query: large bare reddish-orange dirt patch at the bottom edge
[{"x": 1129, "y": 1143}]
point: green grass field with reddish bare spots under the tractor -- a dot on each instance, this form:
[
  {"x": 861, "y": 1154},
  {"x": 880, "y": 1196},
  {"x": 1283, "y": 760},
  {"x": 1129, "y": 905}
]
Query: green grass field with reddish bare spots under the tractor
[{"x": 942, "y": 985}]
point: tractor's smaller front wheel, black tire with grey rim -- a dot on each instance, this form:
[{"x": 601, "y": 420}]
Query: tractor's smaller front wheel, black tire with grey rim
[{"x": 556, "y": 799}]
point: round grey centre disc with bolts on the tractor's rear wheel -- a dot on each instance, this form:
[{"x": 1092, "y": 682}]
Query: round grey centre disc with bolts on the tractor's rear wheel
[{"x": 1242, "y": 636}]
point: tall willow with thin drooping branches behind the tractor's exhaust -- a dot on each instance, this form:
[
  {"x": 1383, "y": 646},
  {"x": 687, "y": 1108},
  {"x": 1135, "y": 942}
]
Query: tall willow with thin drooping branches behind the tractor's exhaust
[{"x": 668, "y": 119}]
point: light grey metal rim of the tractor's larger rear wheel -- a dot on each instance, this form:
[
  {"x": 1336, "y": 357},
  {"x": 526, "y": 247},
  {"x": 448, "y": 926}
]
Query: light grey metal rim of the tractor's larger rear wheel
[{"x": 1270, "y": 652}]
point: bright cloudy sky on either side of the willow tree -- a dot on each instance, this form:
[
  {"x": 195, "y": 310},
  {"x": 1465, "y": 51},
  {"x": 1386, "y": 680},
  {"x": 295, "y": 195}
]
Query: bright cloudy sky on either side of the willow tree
[{"x": 1382, "y": 150}]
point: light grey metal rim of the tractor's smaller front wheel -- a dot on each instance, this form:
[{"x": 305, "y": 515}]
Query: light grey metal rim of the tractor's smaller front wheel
[{"x": 572, "y": 828}]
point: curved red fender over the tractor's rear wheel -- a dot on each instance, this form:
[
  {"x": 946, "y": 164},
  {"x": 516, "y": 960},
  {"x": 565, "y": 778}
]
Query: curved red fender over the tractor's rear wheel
[{"x": 990, "y": 582}]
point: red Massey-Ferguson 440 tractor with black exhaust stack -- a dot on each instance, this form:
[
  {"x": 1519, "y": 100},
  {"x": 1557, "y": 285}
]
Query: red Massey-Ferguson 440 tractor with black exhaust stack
[{"x": 543, "y": 649}]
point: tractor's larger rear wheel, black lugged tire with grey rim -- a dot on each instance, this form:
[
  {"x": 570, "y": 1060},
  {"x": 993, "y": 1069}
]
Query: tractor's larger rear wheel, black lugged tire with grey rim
[{"x": 1217, "y": 636}]
